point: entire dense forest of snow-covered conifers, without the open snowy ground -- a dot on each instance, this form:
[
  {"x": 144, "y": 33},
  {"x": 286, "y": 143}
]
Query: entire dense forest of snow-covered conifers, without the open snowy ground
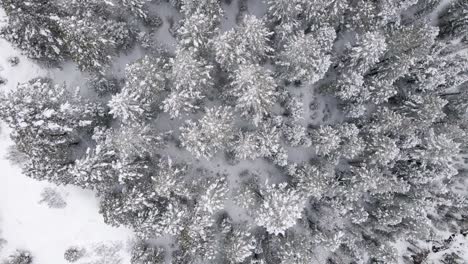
[{"x": 386, "y": 169}]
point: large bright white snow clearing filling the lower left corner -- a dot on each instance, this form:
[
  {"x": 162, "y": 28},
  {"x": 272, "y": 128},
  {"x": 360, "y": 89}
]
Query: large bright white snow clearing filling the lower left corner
[{"x": 47, "y": 232}]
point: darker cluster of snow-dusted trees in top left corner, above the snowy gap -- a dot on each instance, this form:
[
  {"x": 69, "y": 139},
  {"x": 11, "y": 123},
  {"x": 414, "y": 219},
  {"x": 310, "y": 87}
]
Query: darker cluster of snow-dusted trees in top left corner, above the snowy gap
[{"x": 88, "y": 32}]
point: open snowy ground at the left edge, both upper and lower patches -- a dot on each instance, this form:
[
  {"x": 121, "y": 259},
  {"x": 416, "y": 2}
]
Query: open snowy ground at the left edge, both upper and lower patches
[{"x": 48, "y": 232}]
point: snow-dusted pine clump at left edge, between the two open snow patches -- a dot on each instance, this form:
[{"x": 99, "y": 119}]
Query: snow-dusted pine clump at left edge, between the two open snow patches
[{"x": 48, "y": 123}]
